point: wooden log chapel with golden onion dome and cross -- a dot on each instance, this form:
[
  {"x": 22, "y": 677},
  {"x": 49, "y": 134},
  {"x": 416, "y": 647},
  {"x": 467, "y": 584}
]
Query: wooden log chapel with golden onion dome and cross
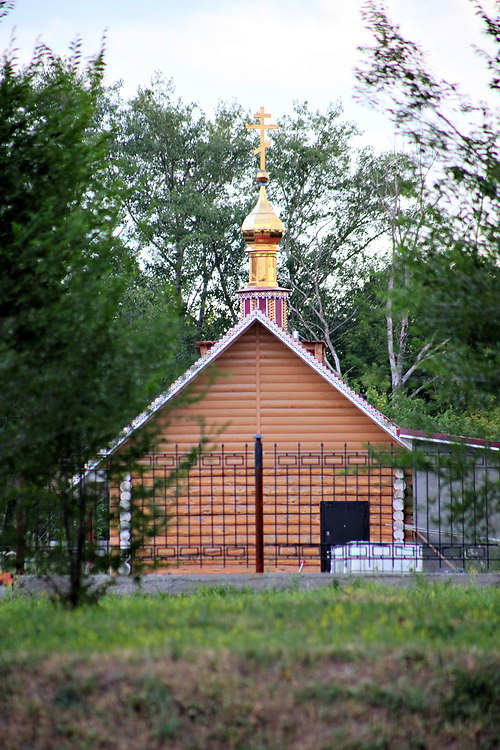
[{"x": 320, "y": 485}]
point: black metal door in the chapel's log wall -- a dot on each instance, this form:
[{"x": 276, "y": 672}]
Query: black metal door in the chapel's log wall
[{"x": 341, "y": 522}]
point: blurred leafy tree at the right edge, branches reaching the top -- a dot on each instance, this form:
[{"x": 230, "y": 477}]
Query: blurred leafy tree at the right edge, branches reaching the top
[{"x": 452, "y": 281}]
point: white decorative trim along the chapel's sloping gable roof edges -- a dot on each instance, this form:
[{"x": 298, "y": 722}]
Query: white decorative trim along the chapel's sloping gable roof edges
[{"x": 224, "y": 343}]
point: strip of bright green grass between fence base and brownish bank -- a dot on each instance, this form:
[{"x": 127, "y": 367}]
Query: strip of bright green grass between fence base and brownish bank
[{"x": 359, "y": 615}]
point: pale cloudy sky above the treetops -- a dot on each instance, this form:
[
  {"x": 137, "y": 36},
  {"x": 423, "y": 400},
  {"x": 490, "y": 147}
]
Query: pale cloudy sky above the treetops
[{"x": 257, "y": 53}]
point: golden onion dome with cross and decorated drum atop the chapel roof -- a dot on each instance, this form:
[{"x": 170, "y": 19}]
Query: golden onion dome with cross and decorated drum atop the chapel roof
[{"x": 262, "y": 231}]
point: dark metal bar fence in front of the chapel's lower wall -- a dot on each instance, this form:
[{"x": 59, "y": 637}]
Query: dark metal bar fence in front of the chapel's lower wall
[{"x": 264, "y": 508}]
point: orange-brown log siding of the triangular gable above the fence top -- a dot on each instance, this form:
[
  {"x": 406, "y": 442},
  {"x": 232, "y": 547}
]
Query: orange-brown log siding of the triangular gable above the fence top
[{"x": 260, "y": 386}]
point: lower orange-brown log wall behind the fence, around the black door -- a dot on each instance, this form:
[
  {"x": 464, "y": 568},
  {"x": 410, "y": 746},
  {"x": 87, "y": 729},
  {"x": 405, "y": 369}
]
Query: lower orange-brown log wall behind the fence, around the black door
[{"x": 212, "y": 524}]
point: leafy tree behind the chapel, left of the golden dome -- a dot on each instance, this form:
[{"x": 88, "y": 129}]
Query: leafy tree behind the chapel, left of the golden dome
[{"x": 185, "y": 202}]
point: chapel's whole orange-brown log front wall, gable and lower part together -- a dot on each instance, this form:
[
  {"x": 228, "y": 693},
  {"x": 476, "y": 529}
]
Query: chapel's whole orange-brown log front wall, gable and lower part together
[{"x": 260, "y": 386}]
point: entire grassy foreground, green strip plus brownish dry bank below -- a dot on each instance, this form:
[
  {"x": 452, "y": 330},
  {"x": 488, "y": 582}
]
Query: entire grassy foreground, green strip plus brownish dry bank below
[{"x": 355, "y": 668}]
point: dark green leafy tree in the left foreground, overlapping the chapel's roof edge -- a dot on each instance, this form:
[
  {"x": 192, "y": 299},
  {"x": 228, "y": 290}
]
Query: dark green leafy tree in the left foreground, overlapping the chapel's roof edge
[{"x": 74, "y": 368}]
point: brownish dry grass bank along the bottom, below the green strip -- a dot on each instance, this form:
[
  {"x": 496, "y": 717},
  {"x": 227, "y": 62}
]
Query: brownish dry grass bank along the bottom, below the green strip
[{"x": 318, "y": 701}]
